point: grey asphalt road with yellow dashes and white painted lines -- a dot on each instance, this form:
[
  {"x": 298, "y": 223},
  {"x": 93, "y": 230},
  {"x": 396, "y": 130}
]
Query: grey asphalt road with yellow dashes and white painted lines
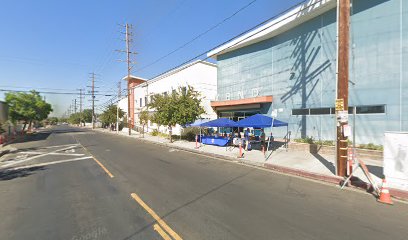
[{"x": 175, "y": 193}]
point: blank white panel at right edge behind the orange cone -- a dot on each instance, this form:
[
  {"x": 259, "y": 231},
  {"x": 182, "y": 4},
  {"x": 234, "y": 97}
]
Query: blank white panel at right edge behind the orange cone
[{"x": 396, "y": 159}]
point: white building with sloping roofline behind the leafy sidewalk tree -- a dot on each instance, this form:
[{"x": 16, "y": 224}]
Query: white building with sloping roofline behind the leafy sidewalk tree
[{"x": 201, "y": 75}]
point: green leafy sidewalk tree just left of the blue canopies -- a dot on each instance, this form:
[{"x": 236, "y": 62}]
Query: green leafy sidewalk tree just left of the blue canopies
[{"x": 181, "y": 107}]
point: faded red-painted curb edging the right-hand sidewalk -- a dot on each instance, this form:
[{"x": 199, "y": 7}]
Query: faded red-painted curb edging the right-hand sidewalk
[{"x": 356, "y": 183}]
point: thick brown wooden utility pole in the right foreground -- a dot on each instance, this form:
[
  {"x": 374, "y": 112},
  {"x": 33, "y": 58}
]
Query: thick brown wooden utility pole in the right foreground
[{"x": 342, "y": 85}]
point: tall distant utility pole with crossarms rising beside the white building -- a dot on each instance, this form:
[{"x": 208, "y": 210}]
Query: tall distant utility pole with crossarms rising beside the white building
[{"x": 128, "y": 39}]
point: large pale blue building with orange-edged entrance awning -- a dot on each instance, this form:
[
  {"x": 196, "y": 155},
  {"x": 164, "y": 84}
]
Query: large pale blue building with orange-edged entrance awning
[{"x": 289, "y": 63}]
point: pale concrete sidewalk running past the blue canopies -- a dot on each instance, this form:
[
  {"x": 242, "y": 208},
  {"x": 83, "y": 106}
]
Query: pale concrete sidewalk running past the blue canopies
[{"x": 302, "y": 163}]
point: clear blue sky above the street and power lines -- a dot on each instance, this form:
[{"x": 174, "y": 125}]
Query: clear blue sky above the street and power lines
[{"x": 56, "y": 44}]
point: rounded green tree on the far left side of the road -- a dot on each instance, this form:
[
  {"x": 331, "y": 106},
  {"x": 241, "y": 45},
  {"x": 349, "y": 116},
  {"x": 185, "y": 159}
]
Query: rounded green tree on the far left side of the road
[{"x": 27, "y": 107}]
